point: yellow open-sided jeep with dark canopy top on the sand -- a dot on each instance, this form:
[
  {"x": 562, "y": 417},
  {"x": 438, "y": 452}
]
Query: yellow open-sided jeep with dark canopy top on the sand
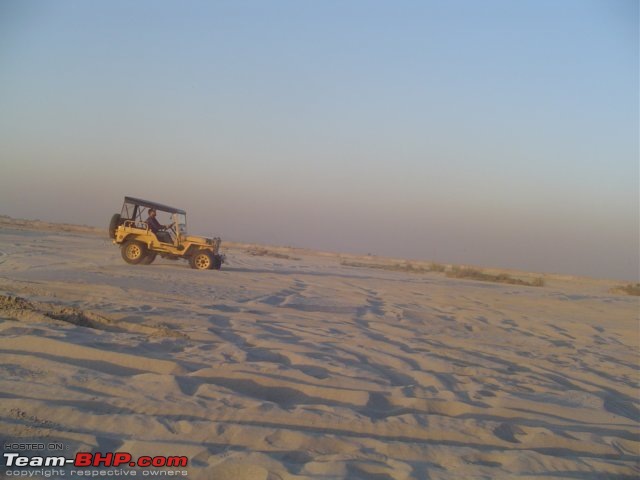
[{"x": 139, "y": 244}]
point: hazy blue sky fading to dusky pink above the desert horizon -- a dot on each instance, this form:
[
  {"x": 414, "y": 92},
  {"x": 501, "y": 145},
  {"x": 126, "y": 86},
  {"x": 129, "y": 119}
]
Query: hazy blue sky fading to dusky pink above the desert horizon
[{"x": 494, "y": 133}]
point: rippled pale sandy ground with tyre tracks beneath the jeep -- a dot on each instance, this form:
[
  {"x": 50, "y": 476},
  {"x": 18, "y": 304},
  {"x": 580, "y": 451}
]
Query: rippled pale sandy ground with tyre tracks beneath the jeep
[{"x": 300, "y": 367}]
